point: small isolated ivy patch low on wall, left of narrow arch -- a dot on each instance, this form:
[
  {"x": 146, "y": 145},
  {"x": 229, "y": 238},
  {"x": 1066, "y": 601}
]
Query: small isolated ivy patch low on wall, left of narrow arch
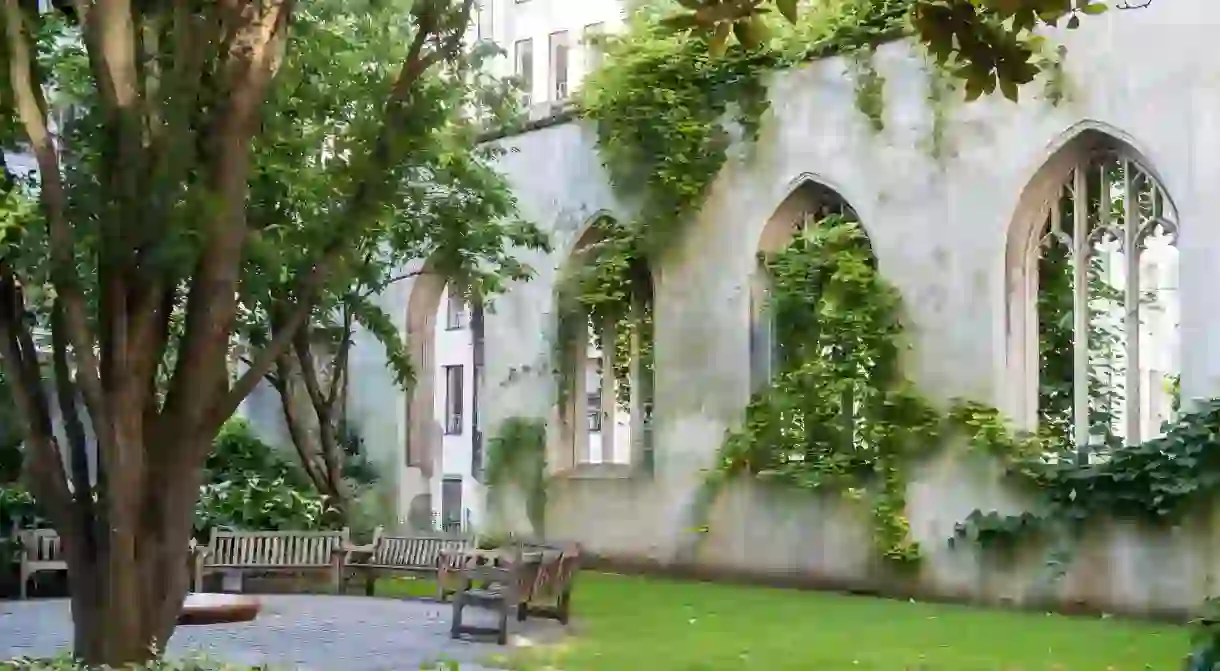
[{"x": 517, "y": 456}]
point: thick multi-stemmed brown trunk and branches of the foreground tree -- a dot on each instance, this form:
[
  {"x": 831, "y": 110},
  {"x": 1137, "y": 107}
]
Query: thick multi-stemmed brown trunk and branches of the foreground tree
[{"x": 136, "y": 262}]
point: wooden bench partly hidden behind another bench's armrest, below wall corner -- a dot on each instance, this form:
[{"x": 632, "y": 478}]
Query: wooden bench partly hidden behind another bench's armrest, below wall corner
[{"x": 415, "y": 556}]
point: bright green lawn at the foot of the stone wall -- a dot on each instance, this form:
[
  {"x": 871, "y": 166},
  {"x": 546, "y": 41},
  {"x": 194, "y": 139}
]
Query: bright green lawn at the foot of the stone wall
[{"x": 634, "y": 624}]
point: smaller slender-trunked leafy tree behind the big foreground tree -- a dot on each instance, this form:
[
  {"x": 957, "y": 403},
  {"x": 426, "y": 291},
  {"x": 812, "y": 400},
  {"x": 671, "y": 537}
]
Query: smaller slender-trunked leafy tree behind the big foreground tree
[{"x": 451, "y": 207}]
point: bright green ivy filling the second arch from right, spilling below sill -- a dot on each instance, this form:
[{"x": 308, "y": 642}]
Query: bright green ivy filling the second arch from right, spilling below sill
[{"x": 838, "y": 415}]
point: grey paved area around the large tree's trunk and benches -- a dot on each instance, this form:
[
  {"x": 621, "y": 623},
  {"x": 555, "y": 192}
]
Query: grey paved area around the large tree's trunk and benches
[{"x": 298, "y": 631}]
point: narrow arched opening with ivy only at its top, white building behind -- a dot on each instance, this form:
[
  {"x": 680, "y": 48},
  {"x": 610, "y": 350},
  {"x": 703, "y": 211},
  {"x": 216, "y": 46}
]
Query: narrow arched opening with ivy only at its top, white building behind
[{"x": 606, "y": 337}]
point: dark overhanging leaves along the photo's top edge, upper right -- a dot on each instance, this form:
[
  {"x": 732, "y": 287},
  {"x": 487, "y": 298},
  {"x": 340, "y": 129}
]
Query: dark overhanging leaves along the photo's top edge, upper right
[{"x": 990, "y": 43}]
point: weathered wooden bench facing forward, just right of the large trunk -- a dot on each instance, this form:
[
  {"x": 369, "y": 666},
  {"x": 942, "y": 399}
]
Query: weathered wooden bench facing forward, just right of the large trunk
[{"x": 273, "y": 551}]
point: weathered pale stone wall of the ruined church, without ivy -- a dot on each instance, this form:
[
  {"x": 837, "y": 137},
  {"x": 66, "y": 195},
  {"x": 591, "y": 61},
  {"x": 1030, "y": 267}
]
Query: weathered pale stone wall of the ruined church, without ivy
[{"x": 941, "y": 232}]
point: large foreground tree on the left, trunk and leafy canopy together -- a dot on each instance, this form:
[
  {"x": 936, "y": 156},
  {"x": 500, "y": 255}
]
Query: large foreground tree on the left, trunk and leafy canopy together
[{"x": 204, "y": 169}]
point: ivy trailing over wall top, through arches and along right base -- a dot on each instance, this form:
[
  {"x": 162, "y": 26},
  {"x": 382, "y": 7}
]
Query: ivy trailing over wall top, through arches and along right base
[{"x": 839, "y": 417}]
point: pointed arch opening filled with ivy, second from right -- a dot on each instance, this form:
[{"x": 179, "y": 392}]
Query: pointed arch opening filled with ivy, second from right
[{"x": 824, "y": 343}]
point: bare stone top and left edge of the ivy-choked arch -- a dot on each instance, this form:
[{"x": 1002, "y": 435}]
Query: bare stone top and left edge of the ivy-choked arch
[{"x": 807, "y": 207}]
